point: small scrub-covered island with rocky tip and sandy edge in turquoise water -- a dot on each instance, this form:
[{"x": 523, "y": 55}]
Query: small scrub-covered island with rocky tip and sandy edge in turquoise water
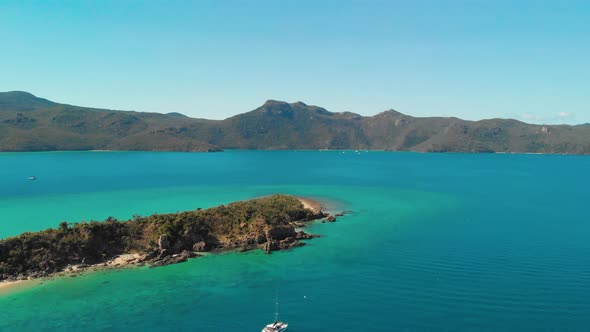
[{"x": 269, "y": 223}]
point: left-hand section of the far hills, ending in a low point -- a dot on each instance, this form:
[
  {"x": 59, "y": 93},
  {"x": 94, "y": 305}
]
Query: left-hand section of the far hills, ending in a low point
[{"x": 48, "y": 126}]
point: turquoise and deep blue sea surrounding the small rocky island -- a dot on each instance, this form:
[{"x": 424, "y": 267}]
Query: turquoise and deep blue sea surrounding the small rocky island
[{"x": 433, "y": 242}]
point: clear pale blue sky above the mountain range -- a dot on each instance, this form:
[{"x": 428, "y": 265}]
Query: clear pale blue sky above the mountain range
[{"x": 528, "y": 60}]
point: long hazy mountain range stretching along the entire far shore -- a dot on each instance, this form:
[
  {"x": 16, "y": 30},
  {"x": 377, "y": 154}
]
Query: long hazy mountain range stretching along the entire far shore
[{"x": 29, "y": 123}]
